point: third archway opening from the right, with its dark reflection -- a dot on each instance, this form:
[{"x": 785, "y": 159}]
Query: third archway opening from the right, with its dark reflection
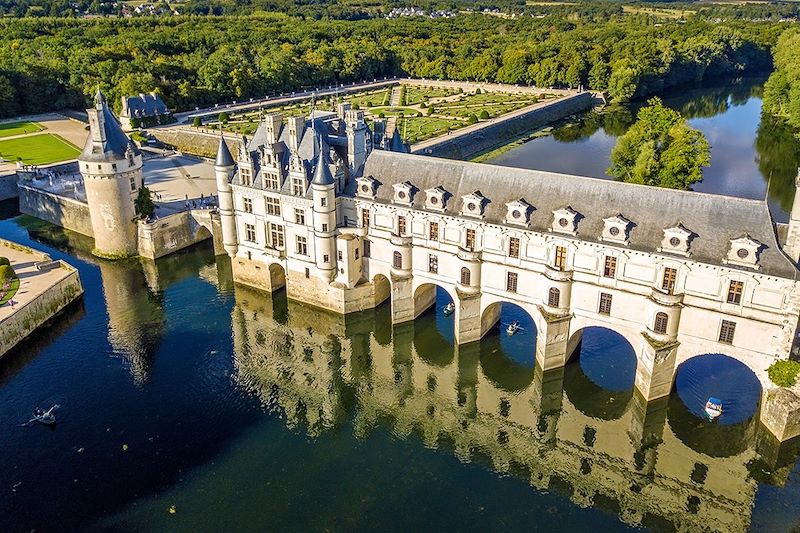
[{"x": 508, "y": 357}]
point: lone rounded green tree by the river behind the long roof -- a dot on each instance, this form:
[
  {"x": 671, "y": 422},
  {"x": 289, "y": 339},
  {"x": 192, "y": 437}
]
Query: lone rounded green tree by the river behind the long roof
[{"x": 660, "y": 149}]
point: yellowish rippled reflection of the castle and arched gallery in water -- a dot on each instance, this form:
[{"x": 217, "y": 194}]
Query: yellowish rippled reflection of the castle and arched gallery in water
[{"x": 652, "y": 464}]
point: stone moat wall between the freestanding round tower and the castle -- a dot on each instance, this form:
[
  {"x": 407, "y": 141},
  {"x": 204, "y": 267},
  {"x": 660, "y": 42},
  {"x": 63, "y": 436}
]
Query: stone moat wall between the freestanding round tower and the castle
[{"x": 172, "y": 233}]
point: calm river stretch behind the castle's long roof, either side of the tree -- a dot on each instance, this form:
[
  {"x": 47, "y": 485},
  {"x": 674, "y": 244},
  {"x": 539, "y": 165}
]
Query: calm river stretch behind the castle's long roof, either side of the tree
[{"x": 747, "y": 152}]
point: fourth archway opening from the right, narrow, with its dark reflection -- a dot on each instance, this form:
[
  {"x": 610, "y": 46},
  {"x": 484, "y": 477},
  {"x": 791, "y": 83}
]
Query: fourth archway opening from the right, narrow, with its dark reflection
[{"x": 434, "y": 328}]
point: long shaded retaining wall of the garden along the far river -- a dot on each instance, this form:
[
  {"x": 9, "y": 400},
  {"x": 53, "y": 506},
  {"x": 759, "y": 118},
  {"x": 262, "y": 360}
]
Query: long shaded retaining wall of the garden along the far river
[{"x": 499, "y": 130}]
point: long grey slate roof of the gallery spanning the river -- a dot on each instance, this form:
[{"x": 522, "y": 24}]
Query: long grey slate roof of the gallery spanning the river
[{"x": 713, "y": 219}]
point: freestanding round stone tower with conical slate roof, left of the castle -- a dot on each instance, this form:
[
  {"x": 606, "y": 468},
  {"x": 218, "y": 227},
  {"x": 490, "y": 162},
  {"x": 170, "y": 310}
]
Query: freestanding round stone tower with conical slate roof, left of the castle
[{"x": 111, "y": 166}]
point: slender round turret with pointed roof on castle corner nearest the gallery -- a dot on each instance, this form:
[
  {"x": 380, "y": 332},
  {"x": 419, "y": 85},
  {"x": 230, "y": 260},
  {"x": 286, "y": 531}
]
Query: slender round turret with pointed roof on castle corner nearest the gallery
[{"x": 323, "y": 192}]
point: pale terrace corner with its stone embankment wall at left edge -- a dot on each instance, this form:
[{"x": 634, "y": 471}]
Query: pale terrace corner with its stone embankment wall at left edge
[{"x": 42, "y": 294}]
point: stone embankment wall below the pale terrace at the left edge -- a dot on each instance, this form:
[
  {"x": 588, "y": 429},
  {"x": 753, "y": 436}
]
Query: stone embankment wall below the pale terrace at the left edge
[{"x": 27, "y": 318}]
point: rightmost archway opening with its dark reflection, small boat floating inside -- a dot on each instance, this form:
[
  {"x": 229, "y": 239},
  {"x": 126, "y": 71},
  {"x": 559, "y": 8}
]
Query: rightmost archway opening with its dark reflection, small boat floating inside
[{"x": 727, "y": 379}]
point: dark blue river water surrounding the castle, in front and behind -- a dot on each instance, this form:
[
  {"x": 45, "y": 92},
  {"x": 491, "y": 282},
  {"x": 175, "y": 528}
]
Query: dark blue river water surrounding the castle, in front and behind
[{"x": 189, "y": 403}]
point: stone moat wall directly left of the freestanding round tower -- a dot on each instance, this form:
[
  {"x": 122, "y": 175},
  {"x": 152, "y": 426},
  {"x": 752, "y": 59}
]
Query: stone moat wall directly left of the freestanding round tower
[{"x": 59, "y": 210}]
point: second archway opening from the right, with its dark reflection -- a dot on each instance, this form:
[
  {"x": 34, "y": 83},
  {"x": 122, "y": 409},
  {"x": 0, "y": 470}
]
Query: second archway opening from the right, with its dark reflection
[{"x": 599, "y": 378}]
